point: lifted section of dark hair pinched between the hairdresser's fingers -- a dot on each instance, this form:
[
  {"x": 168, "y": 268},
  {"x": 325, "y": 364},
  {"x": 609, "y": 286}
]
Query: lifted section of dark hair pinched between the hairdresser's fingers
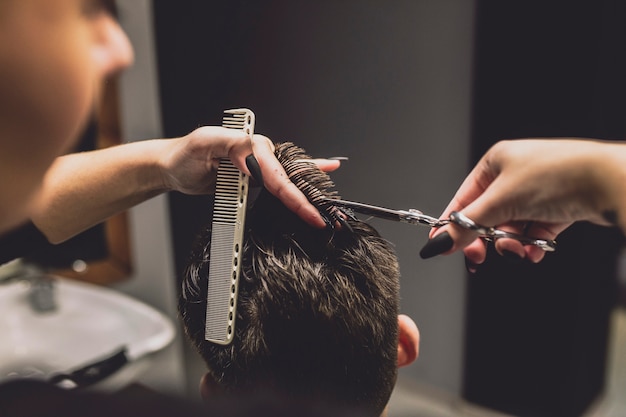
[{"x": 315, "y": 184}]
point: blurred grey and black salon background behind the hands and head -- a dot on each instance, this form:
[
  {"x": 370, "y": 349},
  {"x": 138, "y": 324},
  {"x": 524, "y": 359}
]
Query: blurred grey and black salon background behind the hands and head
[{"x": 413, "y": 92}]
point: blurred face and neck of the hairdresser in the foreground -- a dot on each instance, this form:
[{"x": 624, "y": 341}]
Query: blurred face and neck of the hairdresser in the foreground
[{"x": 54, "y": 56}]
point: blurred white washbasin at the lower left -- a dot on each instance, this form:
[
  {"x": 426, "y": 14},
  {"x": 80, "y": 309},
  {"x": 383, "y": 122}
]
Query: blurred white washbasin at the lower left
[{"x": 90, "y": 323}]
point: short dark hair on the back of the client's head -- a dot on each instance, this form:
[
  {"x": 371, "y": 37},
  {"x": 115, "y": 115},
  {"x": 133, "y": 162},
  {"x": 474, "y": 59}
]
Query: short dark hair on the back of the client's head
[{"x": 316, "y": 315}]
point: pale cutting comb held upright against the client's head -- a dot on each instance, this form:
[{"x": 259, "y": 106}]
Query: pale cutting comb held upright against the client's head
[{"x": 229, "y": 210}]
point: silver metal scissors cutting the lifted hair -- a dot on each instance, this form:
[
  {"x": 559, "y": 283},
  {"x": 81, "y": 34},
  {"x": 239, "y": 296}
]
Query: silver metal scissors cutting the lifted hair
[{"x": 413, "y": 216}]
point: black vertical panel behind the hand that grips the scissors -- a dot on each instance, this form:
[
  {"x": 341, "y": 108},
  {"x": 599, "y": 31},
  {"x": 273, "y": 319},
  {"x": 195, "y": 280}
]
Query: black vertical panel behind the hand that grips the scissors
[{"x": 537, "y": 334}]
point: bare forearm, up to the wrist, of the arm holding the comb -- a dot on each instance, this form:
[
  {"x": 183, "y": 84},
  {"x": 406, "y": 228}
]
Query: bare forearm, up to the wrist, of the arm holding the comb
[{"x": 81, "y": 190}]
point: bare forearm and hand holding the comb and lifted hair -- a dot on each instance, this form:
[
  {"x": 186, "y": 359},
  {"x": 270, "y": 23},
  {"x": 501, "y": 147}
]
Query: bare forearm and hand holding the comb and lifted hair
[{"x": 81, "y": 190}]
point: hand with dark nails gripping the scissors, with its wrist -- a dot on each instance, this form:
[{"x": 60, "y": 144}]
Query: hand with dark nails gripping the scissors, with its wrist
[{"x": 551, "y": 183}]
